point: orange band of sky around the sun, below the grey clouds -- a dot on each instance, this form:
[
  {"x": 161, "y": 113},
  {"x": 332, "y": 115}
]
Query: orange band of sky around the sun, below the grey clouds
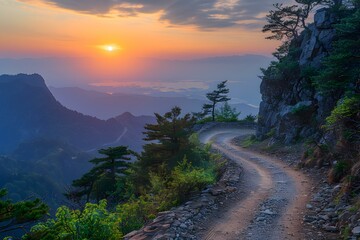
[{"x": 35, "y": 29}]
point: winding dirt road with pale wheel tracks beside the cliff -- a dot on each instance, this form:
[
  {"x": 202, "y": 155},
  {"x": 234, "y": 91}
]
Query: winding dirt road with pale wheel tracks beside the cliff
[{"x": 271, "y": 200}]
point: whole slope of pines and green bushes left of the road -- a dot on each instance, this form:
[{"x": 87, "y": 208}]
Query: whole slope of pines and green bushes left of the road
[{"x": 118, "y": 196}]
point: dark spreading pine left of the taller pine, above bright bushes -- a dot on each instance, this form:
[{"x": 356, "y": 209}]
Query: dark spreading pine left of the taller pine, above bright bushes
[{"x": 102, "y": 180}]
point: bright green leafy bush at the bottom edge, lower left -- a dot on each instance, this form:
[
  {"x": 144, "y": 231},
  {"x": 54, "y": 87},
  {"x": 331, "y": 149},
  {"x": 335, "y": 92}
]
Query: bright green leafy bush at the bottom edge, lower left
[{"x": 94, "y": 222}]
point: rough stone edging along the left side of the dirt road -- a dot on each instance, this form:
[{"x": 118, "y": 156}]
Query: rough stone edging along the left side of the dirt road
[{"x": 183, "y": 222}]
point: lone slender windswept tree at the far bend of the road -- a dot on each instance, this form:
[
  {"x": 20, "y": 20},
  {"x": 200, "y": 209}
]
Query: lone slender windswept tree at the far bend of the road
[{"x": 217, "y": 96}]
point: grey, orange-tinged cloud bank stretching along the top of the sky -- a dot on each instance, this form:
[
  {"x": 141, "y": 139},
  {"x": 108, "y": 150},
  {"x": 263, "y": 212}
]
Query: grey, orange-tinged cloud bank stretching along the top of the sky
[{"x": 204, "y": 14}]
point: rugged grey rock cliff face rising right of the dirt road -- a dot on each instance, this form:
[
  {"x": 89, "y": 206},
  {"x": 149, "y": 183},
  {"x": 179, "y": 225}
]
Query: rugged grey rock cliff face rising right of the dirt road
[{"x": 291, "y": 108}]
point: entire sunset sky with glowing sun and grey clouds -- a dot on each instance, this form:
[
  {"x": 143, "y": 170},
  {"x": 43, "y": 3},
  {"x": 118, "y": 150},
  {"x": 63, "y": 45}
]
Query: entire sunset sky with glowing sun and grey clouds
[{"x": 111, "y": 41}]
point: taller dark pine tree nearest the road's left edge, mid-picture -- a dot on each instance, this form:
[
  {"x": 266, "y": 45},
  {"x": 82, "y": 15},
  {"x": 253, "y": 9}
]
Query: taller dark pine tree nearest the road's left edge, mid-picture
[{"x": 169, "y": 143}]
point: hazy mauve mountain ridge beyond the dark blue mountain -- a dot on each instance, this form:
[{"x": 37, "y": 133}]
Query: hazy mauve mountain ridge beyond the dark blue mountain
[{"x": 104, "y": 106}]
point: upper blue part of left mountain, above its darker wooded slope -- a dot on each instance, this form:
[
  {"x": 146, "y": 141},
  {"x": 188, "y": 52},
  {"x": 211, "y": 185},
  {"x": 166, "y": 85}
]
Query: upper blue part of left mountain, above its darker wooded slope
[{"x": 28, "y": 110}]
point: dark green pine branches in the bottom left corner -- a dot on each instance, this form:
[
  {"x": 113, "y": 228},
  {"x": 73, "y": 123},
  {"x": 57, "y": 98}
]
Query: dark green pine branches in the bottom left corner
[{"x": 16, "y": 215}]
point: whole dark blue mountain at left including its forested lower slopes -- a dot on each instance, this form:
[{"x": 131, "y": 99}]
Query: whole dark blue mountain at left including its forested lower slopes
[{"x": 47, "y": 146}]
